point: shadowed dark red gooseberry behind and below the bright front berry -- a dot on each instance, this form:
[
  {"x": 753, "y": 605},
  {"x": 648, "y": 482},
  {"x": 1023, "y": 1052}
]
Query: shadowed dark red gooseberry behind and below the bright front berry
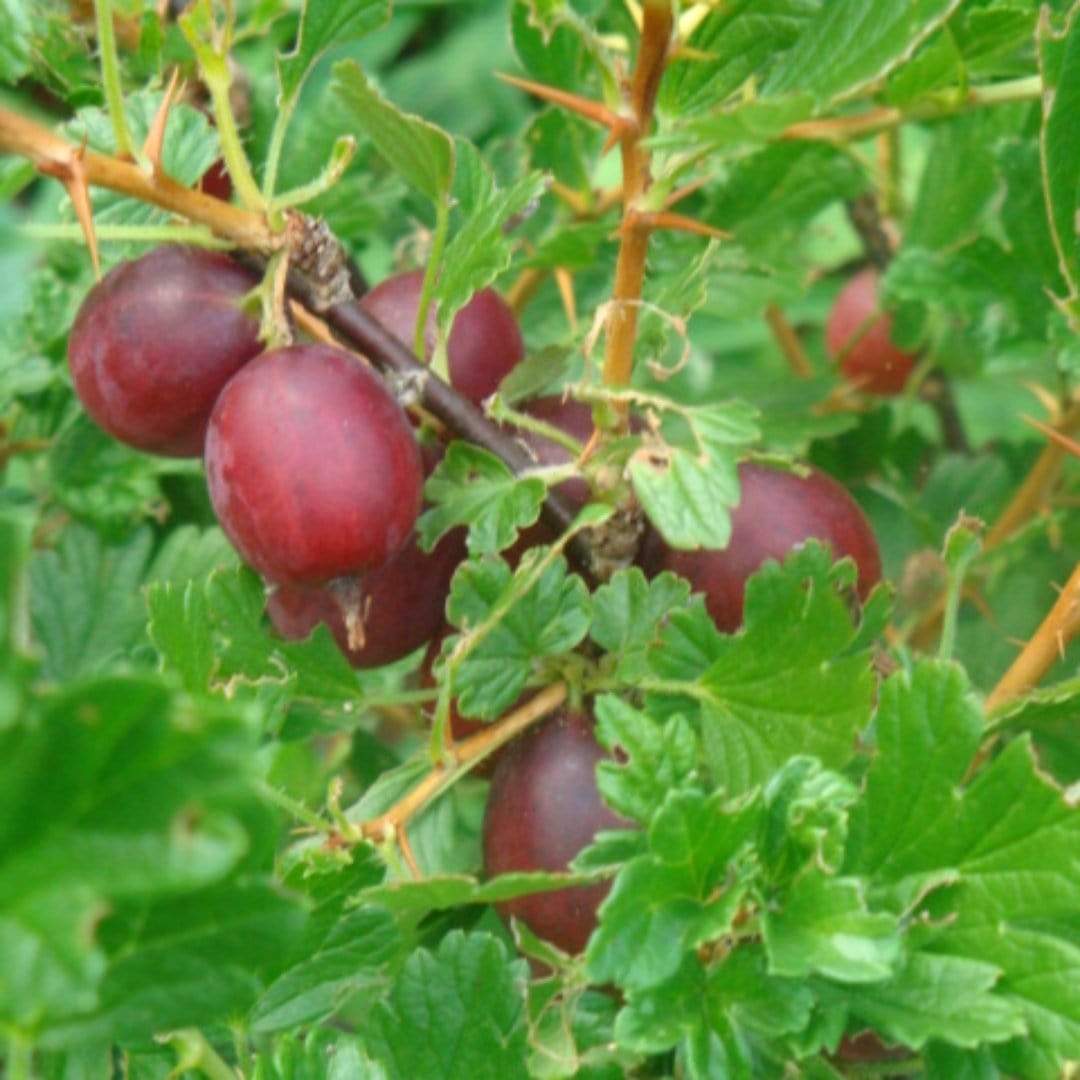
[{"x": 403, "y": 603}]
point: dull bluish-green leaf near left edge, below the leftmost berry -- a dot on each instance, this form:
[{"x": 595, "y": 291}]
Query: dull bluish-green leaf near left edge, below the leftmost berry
[{"x": 86, "y": 603}]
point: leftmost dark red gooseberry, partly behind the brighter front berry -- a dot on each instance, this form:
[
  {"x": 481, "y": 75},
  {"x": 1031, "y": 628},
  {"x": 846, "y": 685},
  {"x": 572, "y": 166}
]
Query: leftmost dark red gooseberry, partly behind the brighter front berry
[{"x": 156, "y": 341}]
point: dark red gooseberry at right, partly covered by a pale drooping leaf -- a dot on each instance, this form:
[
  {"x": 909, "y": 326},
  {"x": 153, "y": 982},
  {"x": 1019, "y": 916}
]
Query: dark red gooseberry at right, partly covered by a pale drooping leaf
[{"x": 777, "y": 512}]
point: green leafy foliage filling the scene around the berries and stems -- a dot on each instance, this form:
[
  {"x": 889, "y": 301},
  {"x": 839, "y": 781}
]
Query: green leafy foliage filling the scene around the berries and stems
[{"x": 811, "y": 857}]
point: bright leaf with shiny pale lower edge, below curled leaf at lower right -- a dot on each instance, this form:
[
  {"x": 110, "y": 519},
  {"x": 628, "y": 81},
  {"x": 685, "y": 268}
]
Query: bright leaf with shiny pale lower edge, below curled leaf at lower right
[{"x": 823, "y": 927}]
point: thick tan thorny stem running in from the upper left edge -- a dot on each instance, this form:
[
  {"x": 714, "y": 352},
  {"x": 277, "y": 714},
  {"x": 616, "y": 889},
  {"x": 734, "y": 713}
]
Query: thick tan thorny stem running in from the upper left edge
[{"x": 56, "y": 156}]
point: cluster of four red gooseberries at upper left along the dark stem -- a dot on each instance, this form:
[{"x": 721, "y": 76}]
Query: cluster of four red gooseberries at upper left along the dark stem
[{"x": 315, "y": 471}]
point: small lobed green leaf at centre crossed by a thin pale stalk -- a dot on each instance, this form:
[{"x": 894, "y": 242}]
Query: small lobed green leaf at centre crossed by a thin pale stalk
[{"x": 551, "y": 618}]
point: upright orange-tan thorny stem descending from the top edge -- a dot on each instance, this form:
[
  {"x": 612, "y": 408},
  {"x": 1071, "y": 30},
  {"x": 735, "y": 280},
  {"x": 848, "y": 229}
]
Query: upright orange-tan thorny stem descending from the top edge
[{"x": 630, "y": 267}]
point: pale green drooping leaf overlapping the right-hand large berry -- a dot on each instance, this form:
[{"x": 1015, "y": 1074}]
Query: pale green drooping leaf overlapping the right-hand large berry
[{"x": 687, "y": 491}]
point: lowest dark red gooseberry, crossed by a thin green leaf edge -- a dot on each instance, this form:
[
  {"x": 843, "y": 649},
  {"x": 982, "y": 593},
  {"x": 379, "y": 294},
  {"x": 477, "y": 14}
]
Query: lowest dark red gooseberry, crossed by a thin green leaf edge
[{"x": 544, "y": 808}]
